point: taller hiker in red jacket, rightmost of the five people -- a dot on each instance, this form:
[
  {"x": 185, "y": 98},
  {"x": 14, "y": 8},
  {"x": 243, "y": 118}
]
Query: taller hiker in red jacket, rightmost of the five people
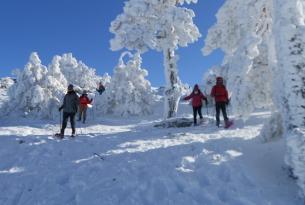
[{"x": 220, "y": 94}]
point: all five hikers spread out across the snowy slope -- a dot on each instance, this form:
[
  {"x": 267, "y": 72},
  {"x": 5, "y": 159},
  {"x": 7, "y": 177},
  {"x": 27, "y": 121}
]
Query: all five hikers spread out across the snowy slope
[{"x": 72, "y": 103}]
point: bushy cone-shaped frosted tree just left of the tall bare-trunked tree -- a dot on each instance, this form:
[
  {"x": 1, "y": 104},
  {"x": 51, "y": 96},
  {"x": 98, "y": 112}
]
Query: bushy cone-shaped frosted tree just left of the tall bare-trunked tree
[{"x": 128, "y": 93}]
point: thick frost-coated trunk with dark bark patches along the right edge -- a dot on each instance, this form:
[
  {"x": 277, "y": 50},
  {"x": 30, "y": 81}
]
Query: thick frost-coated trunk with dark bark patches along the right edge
[{"x": 289, "y": 39}]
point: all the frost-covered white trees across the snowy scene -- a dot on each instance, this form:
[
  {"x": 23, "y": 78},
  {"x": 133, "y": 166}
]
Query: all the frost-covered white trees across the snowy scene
[{"x": 264, "y": 66}]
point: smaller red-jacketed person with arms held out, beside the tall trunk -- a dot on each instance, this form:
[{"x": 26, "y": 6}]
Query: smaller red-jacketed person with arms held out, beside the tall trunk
[{"x": 197, "y": 98}]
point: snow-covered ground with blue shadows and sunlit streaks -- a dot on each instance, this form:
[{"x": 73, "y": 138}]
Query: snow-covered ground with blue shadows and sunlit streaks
[{"x": 129, "y": 162}]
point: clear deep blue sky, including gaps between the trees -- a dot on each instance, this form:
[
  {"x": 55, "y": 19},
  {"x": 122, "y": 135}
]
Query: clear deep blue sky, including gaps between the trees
[{"x": 52, "y": 27}]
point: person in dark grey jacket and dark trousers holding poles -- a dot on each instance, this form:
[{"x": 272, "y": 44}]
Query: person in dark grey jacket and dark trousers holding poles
[{"x": 69, "y": 107}]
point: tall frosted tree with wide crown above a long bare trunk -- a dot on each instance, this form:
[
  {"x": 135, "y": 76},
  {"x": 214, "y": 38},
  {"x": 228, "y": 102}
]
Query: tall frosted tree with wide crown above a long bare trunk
[{"x": 161, "y": 26}]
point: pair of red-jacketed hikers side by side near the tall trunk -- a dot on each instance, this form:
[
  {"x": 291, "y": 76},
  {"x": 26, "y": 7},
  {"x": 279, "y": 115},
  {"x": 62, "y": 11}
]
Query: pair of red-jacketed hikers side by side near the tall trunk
[{"x": 219, "y": 93}]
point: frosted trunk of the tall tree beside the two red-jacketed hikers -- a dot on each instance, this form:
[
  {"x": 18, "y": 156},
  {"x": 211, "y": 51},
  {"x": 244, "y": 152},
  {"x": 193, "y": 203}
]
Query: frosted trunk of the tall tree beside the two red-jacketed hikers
[{"x": 172, "y": 90}]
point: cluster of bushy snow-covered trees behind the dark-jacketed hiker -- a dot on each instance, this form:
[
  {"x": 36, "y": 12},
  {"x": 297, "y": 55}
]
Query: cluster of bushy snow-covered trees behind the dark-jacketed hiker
[{"x": 39, "y": 90}]
